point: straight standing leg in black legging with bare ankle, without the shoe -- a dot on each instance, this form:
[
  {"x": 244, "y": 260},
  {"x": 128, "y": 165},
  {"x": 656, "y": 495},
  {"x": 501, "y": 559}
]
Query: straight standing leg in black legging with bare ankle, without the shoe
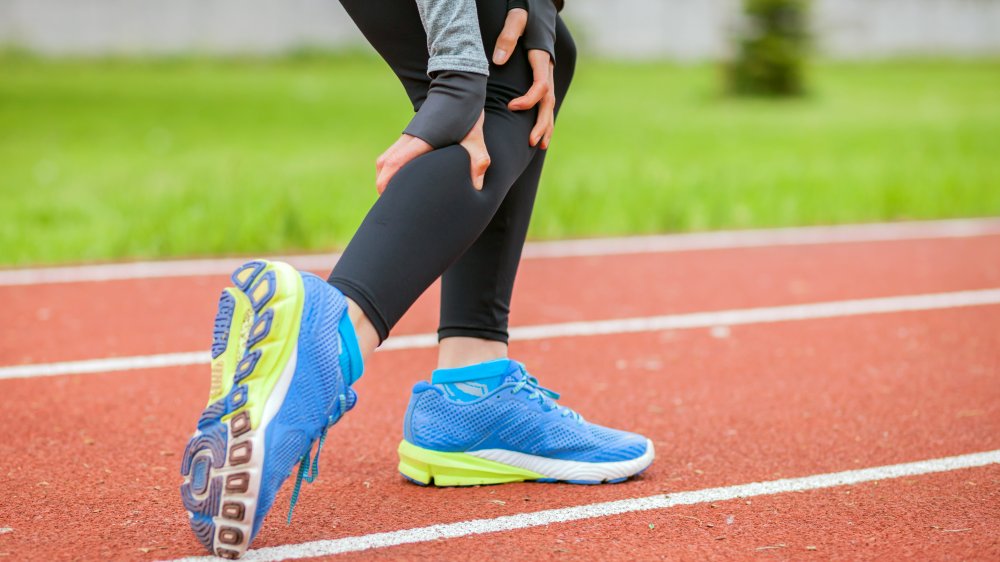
[{"x": 476, "y": 290}]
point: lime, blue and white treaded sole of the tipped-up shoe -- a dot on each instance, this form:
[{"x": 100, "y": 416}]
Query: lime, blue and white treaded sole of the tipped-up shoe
[{"x": 254, "y": 349}]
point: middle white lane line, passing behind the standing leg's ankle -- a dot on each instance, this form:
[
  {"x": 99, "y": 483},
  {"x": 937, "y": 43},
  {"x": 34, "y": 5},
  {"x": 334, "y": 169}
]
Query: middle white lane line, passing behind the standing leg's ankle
[{"x": 714, "y": 319}]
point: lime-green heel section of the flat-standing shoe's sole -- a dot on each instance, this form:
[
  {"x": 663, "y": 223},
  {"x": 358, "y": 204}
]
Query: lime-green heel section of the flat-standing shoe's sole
[{"x": 425, "y": 466}]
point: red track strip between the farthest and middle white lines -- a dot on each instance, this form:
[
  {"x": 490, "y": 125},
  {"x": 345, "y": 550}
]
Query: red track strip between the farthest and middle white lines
[{"x": 63, "y": 316}]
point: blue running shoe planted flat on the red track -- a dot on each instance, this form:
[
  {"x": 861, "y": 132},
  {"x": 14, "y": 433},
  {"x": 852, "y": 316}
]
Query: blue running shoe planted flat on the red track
[{"x": 492, "y": 423}]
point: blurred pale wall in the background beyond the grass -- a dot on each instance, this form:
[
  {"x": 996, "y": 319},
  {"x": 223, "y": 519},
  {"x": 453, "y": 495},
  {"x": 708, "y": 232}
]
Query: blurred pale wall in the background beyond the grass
[{"x": 680, "y": 29}]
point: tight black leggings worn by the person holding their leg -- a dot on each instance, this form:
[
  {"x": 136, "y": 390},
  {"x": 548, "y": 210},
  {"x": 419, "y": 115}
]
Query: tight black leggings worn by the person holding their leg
[{"x": 430, "y": 221}]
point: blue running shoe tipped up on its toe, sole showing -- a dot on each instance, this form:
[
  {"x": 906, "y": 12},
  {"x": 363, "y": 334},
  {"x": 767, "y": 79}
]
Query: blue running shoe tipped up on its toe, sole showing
[{"x": 284, "y": 356}]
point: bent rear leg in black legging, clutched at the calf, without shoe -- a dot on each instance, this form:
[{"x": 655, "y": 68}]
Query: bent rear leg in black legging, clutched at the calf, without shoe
[{"x": 430, "y": 214}]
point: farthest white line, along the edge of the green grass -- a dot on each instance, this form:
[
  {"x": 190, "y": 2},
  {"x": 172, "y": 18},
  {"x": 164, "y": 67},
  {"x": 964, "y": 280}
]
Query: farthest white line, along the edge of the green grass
[{"x": 958, "y": 228}]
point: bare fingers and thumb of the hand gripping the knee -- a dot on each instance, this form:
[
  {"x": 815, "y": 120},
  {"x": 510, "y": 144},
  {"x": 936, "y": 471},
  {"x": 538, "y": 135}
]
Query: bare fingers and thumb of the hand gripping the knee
[{"x": 542, "y": 91}]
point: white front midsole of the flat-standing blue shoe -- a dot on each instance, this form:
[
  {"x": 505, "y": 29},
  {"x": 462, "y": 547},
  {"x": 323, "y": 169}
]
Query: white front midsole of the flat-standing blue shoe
[{"x": 570, "y": 470}]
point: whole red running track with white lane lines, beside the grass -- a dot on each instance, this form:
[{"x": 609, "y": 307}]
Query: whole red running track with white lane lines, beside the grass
[{"x": 852, "y": 373}]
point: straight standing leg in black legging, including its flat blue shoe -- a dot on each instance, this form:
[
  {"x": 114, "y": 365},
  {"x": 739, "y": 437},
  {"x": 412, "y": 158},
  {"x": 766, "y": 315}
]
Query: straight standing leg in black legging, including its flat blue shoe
[{"x": 483, "y": 419}]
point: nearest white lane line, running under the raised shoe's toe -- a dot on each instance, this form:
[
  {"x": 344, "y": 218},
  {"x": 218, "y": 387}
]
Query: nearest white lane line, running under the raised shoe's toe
[{"x": 607, "y": 509}]
